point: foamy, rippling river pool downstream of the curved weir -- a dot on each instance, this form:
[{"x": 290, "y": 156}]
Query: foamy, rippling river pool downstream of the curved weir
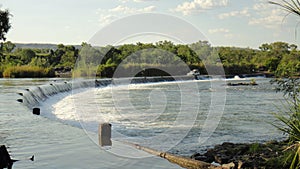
[{"x": 172, "y": 116}]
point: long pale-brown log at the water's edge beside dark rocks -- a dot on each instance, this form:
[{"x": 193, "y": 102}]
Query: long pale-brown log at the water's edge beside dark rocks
[{"x": 181, "y": 161}]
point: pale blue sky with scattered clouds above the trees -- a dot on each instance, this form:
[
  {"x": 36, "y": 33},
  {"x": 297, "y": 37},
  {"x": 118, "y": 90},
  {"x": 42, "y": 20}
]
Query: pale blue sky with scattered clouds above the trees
[{"x": 240, "y": 23}]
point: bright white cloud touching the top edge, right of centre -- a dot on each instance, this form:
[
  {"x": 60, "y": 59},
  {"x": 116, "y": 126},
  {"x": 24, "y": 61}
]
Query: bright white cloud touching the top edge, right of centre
[{"x": 196, "y": 6}]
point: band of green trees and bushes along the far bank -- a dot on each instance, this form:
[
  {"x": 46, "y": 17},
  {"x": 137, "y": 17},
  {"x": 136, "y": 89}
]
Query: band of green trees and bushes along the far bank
[{"x": 279, "y": 58}]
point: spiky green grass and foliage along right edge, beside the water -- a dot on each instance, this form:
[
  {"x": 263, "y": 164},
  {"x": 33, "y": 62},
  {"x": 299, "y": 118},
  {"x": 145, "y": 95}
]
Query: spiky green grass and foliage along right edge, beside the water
[{"x": 290, "y": 119}]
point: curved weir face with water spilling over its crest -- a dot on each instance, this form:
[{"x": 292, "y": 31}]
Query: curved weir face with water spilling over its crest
[{"x": 33, "y": 96}]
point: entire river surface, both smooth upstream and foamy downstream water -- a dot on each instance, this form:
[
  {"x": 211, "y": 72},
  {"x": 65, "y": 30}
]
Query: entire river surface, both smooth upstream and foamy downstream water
[{"x": 179, "y": 117}]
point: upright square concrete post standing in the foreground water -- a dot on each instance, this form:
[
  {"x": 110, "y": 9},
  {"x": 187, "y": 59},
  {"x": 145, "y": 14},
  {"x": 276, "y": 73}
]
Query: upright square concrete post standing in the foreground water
[{"x": 104, "y": 133}]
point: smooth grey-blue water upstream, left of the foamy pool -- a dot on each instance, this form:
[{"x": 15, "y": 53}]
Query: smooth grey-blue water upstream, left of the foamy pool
[{"x": 54, "y": 143}]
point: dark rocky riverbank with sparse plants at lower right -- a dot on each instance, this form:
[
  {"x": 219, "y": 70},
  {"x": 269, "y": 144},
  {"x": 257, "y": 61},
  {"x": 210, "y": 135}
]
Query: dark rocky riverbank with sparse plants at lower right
[{"x": 247, "y": 155}]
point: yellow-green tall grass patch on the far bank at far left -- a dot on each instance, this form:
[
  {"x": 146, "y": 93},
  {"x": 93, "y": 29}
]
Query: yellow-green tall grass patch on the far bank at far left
[{"x": 27, "y": 72}]
